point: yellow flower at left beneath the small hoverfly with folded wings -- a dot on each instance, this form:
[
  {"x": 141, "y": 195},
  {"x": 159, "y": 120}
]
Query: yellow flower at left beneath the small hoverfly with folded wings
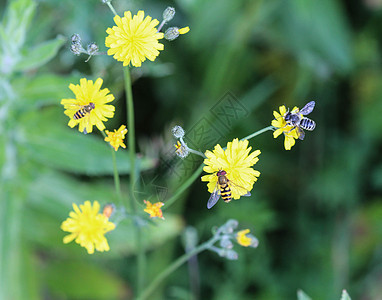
[{"x": 89, "y": 108}]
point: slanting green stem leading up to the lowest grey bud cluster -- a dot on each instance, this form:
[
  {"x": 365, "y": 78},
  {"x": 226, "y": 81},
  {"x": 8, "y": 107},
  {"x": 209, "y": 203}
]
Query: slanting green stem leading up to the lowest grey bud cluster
[{"x": 175, "y": 265}]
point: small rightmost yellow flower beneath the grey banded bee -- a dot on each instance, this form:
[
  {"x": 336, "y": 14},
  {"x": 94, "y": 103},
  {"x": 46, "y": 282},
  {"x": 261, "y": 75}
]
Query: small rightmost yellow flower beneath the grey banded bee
[{"x": 289, "y": 131}]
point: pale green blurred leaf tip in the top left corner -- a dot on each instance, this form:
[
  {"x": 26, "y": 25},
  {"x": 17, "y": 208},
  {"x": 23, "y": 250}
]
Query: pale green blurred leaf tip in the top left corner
[{"x": 17, "y": 19}]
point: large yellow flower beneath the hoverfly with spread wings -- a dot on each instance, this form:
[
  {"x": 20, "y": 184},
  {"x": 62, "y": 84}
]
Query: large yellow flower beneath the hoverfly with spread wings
[{"x": 236, "y": 162}]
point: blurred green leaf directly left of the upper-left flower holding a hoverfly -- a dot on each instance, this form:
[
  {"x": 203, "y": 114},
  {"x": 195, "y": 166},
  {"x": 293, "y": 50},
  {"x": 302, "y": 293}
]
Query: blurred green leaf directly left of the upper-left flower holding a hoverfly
[{"x": 43, "y": 89}]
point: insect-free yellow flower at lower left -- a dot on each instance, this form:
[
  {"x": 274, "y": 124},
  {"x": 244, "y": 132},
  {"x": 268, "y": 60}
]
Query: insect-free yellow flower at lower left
[{"x": 88, "y": 227}]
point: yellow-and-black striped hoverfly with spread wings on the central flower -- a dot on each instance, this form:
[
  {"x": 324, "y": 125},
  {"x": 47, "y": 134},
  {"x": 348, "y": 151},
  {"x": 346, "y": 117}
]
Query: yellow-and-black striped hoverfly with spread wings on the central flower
[{"x": 223, "y": 189}]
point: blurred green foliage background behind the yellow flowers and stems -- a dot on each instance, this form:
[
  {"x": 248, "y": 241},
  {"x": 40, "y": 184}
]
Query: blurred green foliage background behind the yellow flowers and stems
[{"x": 316, "y": 209}]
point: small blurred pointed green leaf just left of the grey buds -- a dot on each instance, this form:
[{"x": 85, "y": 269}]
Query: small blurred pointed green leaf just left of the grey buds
[{"x": 40, "y": 54}]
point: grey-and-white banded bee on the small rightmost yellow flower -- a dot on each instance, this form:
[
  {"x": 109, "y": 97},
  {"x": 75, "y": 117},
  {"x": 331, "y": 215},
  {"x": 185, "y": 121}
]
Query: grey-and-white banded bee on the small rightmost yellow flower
[{"x": 298, "y": 121}]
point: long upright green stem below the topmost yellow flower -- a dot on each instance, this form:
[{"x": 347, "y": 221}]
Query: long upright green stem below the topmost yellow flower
[{"x": 141, "y": 256}]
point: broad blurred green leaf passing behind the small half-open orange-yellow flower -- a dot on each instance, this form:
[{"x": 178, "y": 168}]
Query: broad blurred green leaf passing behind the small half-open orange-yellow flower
[{"x": 51, "y": 143}]
